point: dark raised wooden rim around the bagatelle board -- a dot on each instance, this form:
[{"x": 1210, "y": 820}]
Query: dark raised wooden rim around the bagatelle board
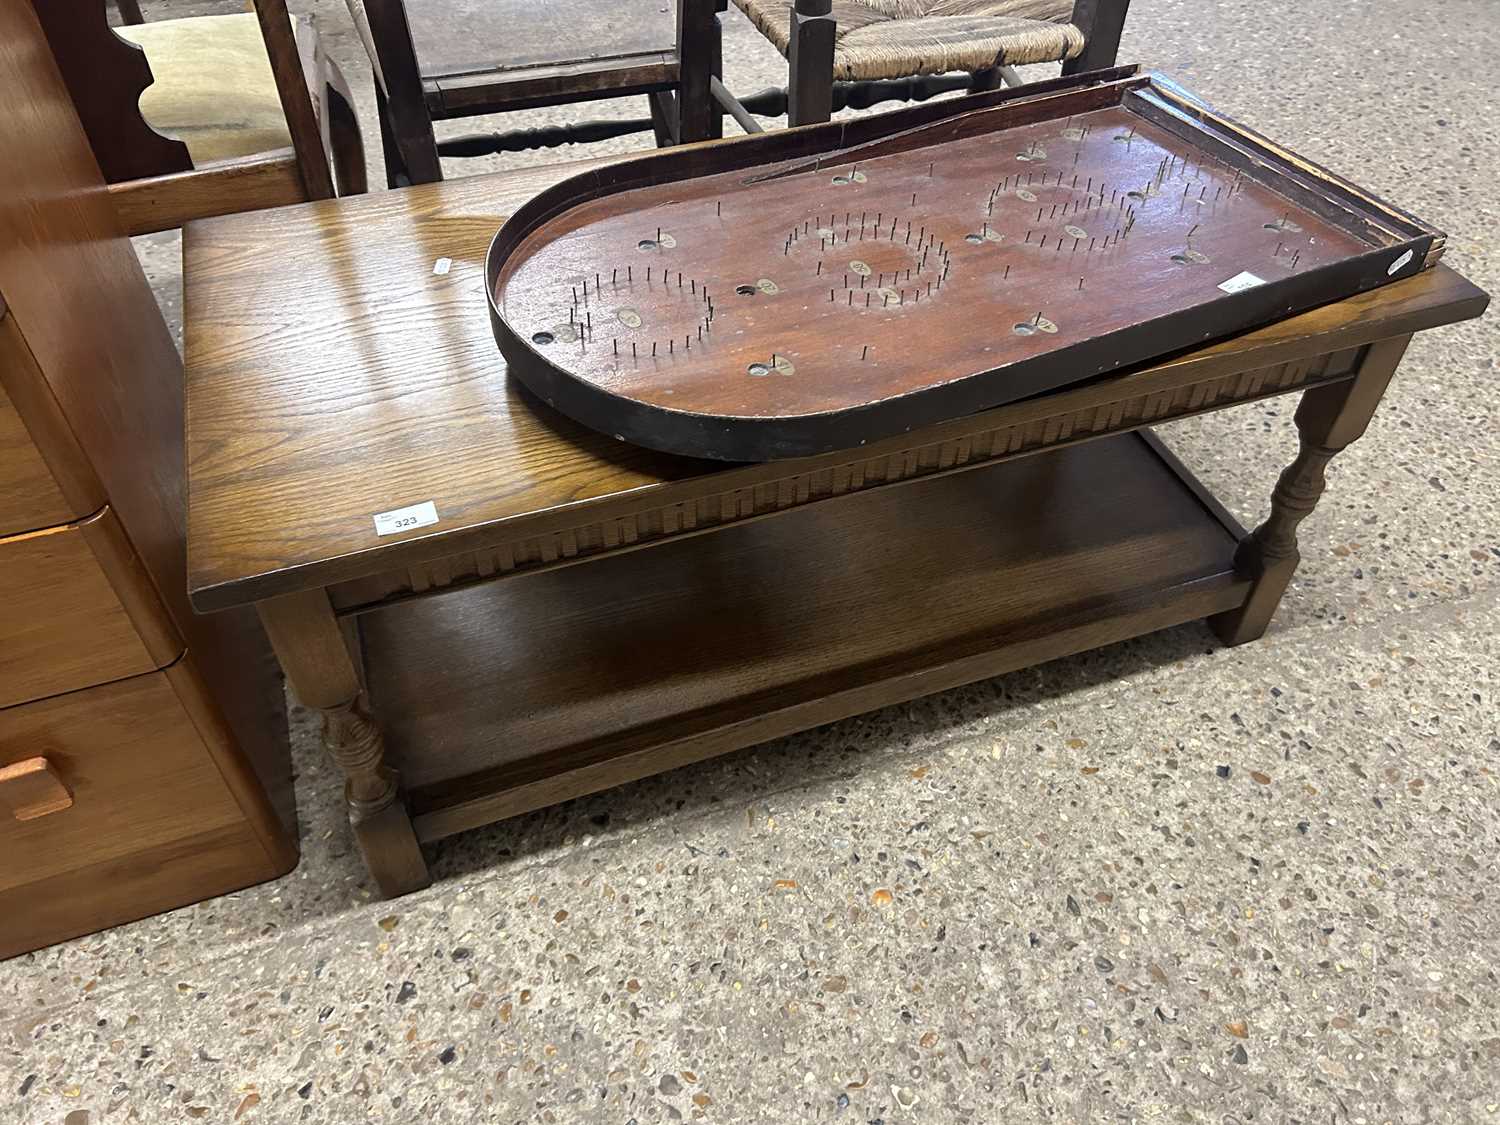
[{"x": 770, "y": 439}]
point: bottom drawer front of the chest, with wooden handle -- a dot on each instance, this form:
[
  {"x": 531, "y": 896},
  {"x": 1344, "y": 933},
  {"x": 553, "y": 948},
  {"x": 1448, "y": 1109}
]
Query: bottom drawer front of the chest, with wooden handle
[{"x": 133, "y": 769}]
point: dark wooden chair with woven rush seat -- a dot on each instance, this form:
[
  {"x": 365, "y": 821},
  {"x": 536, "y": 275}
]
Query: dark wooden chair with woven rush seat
[{"x": 836, "y": 46}]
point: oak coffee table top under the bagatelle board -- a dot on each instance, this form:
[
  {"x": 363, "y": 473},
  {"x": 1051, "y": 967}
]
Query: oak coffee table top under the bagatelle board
[{"x": 340, "y": 364}]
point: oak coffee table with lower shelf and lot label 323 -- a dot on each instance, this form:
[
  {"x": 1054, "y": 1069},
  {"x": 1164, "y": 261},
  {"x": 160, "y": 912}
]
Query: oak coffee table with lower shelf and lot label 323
[{"x": 497, "y": 610}]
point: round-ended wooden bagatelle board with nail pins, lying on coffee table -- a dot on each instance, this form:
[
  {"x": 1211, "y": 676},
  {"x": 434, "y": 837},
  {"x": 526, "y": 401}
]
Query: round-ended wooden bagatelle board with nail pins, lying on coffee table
[{"x": 827, "y": 287}]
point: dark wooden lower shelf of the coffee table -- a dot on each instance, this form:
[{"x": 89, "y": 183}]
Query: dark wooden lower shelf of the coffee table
[{"x": 511, "y": 697}]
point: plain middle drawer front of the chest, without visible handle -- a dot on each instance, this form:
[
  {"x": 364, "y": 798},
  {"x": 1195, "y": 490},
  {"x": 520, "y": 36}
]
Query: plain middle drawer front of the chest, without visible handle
[{"x": 62, "y": 622}]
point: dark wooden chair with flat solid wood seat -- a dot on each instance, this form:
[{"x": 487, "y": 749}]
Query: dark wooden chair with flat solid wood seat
[{"x": 446, "y": 59}]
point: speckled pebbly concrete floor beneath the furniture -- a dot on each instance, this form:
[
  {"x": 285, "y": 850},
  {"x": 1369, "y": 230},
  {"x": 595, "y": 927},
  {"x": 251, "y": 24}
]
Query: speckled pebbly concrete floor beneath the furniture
[{"x": 1033, "y": 899}]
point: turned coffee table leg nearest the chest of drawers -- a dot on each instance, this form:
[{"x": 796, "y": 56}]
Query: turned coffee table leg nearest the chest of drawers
[{"x": 320, "y": 667}]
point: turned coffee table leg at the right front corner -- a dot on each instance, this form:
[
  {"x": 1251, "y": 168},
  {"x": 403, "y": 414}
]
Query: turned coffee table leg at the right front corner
[{"x": 1330, "y": 418}]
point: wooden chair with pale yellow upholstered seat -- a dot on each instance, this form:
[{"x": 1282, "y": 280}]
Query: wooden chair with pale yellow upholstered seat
[{"x": 208, "y": 115}]
